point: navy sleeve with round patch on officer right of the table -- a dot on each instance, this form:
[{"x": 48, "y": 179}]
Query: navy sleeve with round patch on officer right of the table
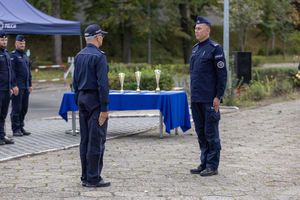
[{"x": 220, "y": 66}]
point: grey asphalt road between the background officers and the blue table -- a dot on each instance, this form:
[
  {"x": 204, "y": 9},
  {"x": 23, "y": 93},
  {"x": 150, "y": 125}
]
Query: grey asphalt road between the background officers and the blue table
[{"x": 43, "y": 103}]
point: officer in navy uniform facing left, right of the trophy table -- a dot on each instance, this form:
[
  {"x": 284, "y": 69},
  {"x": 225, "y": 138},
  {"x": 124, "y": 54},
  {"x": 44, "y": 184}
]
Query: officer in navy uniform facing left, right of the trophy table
[{"x": 208, "y": 82}]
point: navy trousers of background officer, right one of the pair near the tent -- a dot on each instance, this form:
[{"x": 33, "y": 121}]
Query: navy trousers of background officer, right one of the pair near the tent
[{"x": 19, "y": 109}]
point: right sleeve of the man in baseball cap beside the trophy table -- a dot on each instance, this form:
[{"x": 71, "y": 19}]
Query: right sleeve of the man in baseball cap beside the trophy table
[{"x": 102, "y": 82}]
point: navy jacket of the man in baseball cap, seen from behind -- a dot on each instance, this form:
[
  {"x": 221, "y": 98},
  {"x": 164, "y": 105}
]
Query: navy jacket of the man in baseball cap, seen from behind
[{"x": 90, "y": 73}]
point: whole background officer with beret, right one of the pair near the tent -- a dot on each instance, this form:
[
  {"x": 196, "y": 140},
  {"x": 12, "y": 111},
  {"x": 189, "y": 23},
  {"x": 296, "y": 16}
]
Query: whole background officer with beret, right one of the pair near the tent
[{"x": 21, "y": 69}]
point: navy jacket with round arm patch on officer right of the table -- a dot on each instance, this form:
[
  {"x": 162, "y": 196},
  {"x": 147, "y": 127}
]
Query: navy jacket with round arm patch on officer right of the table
[{"x": 207, "y": 71}]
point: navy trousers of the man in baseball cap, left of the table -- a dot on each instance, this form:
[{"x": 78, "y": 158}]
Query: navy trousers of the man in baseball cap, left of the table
[{"x": 93, "y": 136}]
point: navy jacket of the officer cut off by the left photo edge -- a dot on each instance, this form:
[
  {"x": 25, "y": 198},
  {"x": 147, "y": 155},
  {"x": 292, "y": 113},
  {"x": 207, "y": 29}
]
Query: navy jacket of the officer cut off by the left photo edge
[{"x": 5, "y": 71}]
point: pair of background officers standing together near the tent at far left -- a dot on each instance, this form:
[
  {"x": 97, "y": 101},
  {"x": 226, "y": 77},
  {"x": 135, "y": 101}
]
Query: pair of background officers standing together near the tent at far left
[{"x": 15, "y": 85}]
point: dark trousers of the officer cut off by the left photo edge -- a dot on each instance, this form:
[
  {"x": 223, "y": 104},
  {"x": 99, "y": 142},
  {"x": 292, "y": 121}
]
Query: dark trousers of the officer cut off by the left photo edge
[{"x": 4, "y": 103}]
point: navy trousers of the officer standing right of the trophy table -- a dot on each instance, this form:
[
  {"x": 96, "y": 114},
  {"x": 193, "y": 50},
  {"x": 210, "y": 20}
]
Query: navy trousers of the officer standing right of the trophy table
[{"x": 207, "y": 128}]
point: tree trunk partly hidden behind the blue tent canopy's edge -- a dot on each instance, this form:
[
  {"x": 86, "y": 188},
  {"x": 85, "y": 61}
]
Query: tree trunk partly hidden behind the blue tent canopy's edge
[{"x": 56, "y": 39}]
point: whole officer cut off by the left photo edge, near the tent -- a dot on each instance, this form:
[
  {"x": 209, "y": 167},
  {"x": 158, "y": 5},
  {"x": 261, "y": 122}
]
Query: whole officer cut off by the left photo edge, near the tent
[{"x": 7, "y": 88}]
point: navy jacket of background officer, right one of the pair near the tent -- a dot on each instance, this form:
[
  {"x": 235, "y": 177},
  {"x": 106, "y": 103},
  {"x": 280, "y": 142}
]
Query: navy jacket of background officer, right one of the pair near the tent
[{"x": 21, "y": 69}]
